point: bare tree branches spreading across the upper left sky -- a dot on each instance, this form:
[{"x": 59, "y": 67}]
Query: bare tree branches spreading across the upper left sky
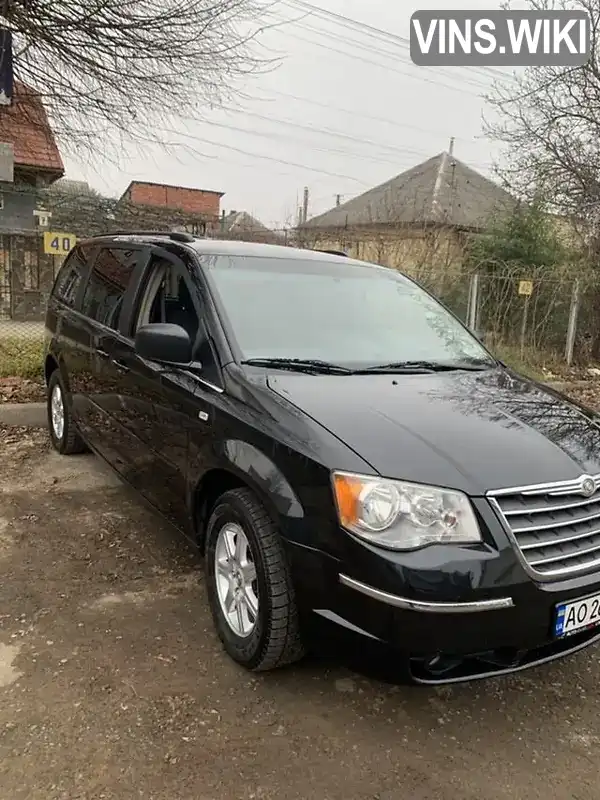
[{"x": 125, "y": 71}]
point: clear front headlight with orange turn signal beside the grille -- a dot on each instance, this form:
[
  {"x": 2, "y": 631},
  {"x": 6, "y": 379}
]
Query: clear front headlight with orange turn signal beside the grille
[{"x": 403, "y": 516}]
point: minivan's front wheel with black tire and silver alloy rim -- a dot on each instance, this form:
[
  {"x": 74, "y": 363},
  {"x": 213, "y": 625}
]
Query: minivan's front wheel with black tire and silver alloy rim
[{"x": 274, "y": 639}]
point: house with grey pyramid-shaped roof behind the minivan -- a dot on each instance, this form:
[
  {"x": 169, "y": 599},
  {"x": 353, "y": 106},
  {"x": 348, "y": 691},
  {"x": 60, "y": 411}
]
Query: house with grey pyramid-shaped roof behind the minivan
[{"x": 419, "y": 219}]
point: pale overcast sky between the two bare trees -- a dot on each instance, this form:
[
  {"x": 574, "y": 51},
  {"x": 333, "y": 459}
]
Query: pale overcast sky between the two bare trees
[{"x": 344, "y": 111}]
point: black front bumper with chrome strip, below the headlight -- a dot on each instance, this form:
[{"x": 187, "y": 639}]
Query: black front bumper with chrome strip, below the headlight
[{"x": 472, "y": 618}]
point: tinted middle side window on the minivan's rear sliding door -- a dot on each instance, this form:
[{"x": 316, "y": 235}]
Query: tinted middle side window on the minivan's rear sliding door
[{"x": 108, "y": 282}]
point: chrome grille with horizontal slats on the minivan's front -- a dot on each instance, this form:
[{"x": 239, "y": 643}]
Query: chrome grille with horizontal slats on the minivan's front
[{"x": 556, "y": 527}]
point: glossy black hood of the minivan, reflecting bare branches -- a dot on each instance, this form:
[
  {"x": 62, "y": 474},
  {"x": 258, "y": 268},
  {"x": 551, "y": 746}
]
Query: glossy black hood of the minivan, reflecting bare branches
[{"x": 473, "y": 431}]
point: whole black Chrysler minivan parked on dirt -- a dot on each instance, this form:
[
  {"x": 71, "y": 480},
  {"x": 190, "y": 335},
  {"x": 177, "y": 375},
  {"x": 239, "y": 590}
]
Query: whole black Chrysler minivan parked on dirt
[{"x": 345, "y": 453}]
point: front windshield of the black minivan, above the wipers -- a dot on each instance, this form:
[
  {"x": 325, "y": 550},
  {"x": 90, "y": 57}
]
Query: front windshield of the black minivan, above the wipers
[{"x": 343, "y": 313}]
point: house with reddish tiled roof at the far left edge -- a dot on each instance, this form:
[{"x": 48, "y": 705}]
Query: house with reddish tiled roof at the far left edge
[{"x": 29, "y": 161}]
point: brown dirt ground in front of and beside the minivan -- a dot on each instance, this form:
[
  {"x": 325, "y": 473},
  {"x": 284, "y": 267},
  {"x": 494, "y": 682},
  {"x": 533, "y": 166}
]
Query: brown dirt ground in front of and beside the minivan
[{"x": 113, "y": 684}]
